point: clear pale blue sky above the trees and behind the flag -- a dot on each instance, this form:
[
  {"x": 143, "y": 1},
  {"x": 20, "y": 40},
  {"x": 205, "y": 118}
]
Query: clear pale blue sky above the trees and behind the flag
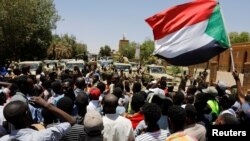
[{"x": 104, "y": 22}]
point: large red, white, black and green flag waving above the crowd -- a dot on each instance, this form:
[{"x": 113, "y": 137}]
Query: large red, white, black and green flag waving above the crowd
[{"x": 190, "y": 33}]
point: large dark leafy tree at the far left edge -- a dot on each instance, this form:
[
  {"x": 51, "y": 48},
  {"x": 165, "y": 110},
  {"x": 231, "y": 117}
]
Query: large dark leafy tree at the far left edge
[{"x": 25, "y": 28}]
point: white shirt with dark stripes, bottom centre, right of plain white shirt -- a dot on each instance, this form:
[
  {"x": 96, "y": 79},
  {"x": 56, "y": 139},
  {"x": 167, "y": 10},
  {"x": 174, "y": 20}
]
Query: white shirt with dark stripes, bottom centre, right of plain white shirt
[{"x": 160, "y": 135}]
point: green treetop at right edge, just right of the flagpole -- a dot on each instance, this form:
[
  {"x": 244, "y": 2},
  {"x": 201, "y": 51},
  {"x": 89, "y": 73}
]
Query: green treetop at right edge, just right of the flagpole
[{"x": 242, "y": 37}]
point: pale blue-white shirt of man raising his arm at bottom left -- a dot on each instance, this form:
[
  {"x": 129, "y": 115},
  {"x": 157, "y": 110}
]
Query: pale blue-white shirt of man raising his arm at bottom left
[{"x": 50, "y": 134}]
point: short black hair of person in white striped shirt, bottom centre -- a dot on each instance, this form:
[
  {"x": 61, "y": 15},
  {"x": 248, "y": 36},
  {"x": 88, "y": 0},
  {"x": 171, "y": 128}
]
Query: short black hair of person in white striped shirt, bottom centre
[{"x": 151, "y": 112}]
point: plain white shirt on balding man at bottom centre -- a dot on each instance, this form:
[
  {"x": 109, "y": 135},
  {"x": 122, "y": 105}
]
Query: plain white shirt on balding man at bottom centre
[{"x": 117, "y": 128}]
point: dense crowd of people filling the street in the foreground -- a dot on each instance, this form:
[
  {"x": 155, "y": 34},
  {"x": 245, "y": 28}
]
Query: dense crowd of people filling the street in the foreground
[{"x": 101, "y": 105}]
